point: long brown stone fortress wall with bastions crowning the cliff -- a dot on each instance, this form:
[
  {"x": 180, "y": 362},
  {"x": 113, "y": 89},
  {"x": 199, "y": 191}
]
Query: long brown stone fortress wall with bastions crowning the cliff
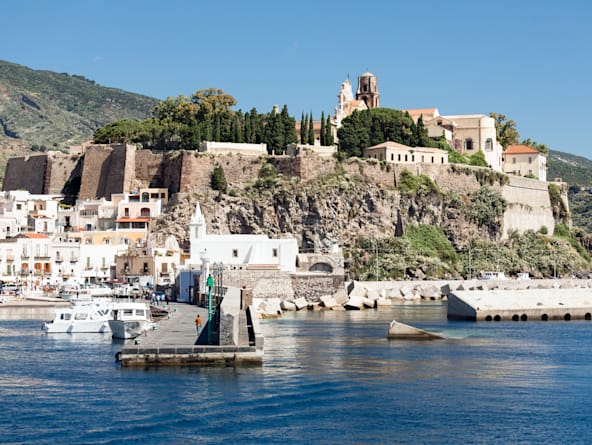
[{"x": 104, "y": 170}]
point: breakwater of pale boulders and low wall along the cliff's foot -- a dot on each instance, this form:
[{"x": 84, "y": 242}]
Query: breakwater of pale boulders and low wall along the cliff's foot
[{"x": 358, "y": 295}]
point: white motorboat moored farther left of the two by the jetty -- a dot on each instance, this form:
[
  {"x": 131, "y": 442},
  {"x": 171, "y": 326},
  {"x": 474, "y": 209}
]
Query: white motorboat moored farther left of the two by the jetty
[{"x": 82, "y": 316}]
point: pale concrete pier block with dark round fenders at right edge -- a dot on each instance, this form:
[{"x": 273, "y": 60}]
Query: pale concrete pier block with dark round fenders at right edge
[{"x": 521, "y": 305}]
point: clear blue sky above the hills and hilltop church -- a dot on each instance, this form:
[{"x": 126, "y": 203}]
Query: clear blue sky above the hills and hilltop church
[{"x": 528, "y": 59}]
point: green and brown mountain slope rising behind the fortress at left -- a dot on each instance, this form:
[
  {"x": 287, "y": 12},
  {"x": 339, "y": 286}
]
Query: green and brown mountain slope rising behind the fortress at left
[{"x": 48, "y": 110}]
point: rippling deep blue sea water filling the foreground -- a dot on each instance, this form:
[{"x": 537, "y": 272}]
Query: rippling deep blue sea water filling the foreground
[{"x": 326, "y": 378}]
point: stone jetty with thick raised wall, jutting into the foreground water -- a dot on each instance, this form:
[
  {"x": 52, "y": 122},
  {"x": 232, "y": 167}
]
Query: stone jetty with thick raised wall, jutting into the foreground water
[{"x": 232, "y": 338}]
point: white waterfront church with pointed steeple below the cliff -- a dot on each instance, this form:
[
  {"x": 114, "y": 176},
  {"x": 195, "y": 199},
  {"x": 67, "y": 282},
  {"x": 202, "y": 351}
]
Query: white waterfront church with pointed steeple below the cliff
[{"x": 233, "y": 252}]
